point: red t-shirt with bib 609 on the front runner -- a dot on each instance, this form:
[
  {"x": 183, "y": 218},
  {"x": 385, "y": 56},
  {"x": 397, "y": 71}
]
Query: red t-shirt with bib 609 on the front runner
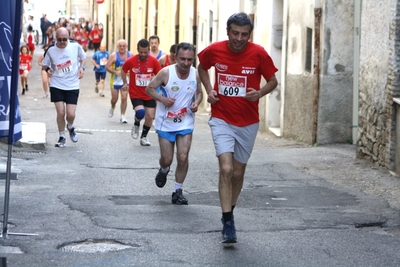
[{"x": 234, "y": 73}]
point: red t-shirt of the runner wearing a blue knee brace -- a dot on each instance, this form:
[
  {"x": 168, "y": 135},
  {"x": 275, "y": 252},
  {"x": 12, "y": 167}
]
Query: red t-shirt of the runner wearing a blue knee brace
[{"x": 140, "y": 74}]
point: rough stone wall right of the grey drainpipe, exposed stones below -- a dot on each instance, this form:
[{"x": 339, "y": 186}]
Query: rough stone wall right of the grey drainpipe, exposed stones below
[{"x": 379, "y": 81}]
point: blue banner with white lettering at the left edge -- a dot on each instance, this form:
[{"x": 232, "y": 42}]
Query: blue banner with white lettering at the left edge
[{"x": 10, "y": 34}]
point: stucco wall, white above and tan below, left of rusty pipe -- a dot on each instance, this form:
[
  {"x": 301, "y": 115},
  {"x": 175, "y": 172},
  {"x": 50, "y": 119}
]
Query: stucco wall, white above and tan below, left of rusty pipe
[{"x": 298, "y": 91}]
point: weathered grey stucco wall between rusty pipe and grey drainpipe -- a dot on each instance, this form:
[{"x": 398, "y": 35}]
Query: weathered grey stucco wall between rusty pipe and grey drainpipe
[{"x": 336, "y": 79}]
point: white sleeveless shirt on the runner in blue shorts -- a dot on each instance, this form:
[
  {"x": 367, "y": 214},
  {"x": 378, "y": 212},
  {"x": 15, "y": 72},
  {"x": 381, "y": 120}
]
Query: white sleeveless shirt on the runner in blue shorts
[{"x": 179, "y": 116}]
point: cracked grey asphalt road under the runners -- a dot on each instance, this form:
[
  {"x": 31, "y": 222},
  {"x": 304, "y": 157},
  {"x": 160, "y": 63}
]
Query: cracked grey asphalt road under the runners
[{"x": 95, "y": 203}]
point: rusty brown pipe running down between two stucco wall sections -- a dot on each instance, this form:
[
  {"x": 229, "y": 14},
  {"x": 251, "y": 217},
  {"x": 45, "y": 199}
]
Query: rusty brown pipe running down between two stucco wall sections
[{"x": 317, "y": 44}]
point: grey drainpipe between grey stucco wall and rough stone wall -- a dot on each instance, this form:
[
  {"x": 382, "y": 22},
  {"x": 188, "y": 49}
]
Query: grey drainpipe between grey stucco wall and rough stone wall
[{"x": 356, "y": 67}]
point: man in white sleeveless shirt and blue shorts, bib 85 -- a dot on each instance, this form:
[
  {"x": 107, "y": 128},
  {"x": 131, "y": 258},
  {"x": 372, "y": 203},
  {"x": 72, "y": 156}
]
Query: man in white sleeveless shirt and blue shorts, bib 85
[{"x": 175, "y": 115}]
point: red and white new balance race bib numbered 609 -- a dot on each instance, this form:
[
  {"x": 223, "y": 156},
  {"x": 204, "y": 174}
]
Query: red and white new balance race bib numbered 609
[{"x": 232, "y": 85}]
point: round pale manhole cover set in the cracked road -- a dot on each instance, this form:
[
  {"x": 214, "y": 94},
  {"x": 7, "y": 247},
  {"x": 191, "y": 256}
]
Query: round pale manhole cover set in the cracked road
[{"x": 94, "y": 246}]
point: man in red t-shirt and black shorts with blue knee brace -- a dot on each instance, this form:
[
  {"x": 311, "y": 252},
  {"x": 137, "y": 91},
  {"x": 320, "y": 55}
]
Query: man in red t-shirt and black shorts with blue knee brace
[{"x": 141, "y": 68}]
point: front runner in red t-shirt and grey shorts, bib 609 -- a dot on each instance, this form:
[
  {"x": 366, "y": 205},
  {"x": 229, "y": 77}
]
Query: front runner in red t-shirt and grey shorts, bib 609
[{"x": 239, "y": 65}]
